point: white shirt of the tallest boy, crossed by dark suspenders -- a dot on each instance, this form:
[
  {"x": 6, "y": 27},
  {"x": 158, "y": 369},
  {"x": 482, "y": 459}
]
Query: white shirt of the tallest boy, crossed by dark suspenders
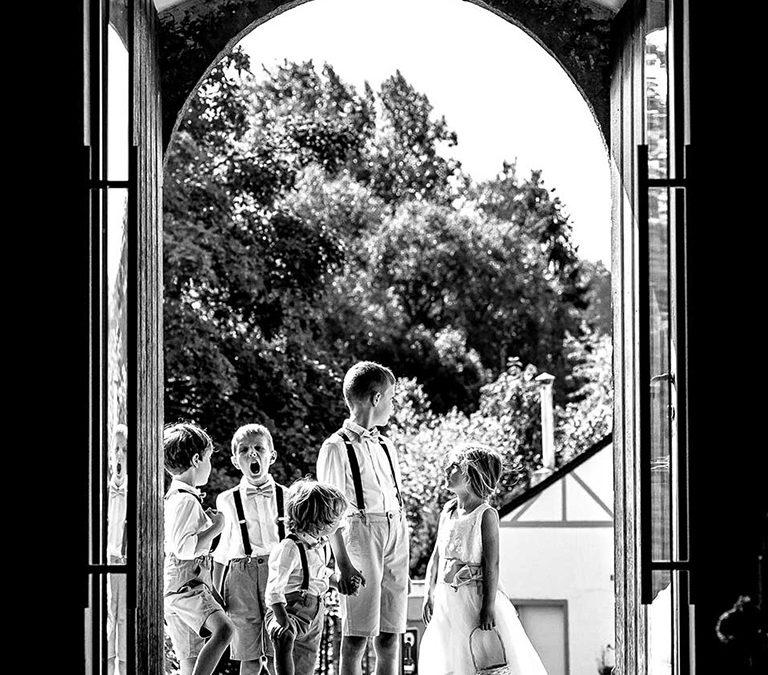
[{"x": 379, "y": 489}]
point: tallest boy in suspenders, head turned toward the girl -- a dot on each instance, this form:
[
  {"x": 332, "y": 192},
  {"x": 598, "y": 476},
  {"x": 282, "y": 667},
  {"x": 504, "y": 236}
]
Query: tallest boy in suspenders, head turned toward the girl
[{"x": 363, "y": 464}]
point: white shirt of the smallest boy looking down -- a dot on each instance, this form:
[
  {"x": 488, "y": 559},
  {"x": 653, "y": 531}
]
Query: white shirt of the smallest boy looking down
[{"x": 286, "y": 574}]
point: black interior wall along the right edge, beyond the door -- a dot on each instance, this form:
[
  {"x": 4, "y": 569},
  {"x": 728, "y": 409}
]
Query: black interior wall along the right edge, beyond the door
[{"x": 726, "y": 263}]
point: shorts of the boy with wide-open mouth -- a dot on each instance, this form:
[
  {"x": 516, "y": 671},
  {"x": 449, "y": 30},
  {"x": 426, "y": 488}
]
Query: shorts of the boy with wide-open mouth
[{"x": 243, "y": 594}]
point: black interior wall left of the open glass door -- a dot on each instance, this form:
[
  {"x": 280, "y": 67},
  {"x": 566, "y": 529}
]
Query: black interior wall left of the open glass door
[{"x": 50, "y": 276}]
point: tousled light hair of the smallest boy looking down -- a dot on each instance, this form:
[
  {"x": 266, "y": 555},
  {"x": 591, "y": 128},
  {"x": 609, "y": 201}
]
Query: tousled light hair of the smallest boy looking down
[{"x": 312, "y": 505}]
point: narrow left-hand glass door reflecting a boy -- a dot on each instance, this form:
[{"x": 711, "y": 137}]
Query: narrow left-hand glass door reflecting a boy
[{"x": 109, "y": 96}]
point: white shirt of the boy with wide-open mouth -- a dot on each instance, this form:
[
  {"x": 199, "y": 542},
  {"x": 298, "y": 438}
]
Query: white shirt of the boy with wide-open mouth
[{"x": 261, "y": 518}]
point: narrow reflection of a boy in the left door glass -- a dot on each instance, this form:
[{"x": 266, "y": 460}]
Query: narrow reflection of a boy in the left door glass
[{"x": 116, "y": 587}]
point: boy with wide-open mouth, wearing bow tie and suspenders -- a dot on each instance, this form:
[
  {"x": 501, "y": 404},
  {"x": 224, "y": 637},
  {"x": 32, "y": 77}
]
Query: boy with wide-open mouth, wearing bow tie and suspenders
[{"x": 253, "y": 525}]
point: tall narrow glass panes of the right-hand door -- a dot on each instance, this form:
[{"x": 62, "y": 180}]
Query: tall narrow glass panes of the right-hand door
[{"x": 659, "y": 370}]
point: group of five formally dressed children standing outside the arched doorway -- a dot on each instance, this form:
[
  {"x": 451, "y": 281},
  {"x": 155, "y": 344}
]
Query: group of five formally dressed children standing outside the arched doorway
[{"x": 261, "y": 592}]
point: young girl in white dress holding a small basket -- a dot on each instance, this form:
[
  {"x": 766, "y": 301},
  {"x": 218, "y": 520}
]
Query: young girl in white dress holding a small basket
[{"x": 462, "y": 603}]
